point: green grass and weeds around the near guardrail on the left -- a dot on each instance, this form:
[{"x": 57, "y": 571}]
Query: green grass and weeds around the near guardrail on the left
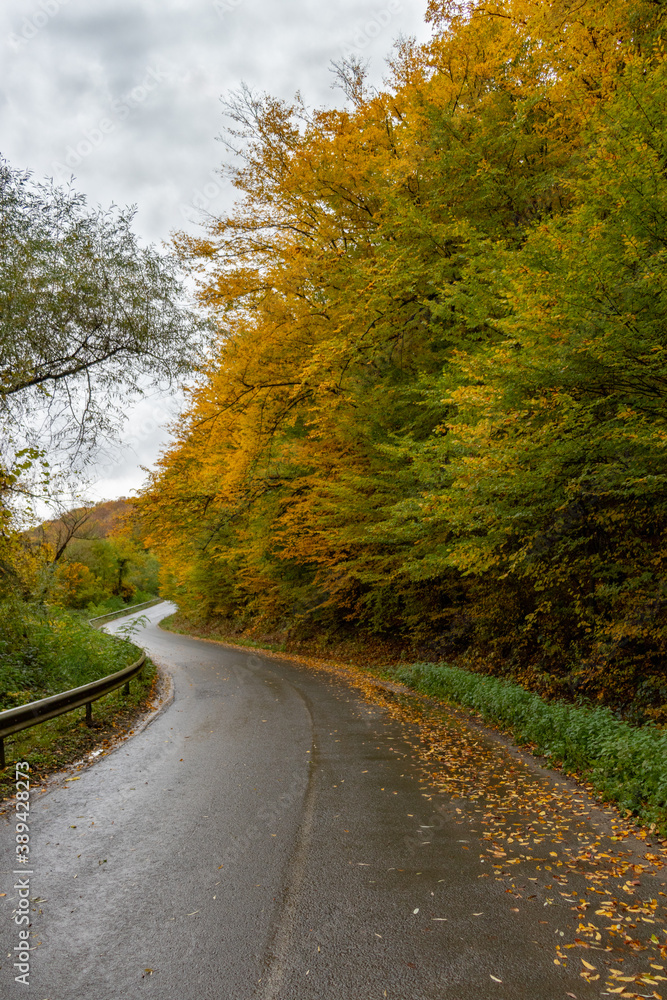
[{"x": 44, "y": 650}]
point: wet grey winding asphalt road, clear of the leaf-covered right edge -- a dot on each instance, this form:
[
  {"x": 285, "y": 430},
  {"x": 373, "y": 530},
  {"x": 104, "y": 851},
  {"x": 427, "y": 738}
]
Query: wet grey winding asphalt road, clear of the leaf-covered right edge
[{"x": 266, "y": 836}]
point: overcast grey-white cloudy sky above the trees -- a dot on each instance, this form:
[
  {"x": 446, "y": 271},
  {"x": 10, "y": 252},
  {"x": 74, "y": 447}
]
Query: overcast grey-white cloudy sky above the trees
[{"x": 125, "y": 95}]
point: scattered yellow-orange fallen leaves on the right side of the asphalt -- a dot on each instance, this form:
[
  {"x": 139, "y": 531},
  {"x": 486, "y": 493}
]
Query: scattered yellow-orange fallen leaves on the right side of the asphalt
[{"x": 517, "y": 811}]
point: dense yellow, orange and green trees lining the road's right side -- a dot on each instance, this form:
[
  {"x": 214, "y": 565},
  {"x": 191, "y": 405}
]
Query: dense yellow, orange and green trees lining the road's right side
[{"x": 436, "y": 406}]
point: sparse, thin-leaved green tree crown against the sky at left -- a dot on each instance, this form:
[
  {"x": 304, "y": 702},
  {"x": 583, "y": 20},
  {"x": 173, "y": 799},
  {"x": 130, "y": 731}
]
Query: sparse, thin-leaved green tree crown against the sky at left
[{"x": 87, "y": 315}]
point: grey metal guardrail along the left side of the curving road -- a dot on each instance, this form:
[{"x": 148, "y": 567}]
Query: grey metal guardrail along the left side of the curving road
[{"x": 13, "y": 720}]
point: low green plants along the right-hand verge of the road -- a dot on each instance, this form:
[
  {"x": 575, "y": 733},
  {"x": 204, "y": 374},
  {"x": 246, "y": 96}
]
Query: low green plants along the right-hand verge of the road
[{"x": 624, "y": 764}]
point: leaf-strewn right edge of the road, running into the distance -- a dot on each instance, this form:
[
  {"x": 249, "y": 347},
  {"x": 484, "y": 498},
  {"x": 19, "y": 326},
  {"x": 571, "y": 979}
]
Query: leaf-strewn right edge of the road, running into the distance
[{"x": 541, "y": 836}]
